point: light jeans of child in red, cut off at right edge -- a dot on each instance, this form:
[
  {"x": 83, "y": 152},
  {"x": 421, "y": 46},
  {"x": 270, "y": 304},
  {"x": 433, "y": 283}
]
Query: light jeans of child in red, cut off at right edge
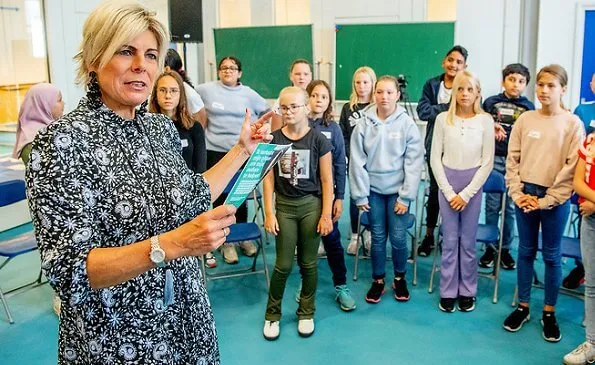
[{"x": 588, "y": 255}]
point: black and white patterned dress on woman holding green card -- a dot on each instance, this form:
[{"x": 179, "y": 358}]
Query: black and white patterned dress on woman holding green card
[{"x": 97, "y": 180}]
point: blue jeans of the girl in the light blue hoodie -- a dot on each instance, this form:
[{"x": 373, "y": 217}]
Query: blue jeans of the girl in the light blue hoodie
[{"x": 385, "y": 223}]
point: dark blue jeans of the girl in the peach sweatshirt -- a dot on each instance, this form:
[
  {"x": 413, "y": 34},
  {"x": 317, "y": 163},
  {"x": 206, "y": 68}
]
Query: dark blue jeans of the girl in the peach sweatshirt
[{"x": 552, "y": 223}]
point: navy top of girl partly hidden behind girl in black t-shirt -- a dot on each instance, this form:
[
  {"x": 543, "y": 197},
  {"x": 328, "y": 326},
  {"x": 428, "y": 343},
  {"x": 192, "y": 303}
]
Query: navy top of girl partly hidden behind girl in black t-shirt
[{"x": 333, "y": 133}]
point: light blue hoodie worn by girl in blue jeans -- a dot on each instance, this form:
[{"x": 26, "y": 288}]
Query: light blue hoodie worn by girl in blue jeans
[{"x": 386, "y": 156}]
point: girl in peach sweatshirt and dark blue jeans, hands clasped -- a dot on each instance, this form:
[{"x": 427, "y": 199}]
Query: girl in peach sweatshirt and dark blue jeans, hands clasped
[{"x": 542, "y": 156}]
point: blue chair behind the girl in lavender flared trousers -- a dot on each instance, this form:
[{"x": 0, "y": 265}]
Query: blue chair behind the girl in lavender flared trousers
[{"x": 486, "y": 233}]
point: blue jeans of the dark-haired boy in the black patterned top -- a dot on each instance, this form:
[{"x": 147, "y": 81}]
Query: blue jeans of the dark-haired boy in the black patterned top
[{"x": 493, "y": 204}]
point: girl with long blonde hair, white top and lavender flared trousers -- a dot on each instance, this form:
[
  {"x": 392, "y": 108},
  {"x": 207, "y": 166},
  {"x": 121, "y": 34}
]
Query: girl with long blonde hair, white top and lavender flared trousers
[{"x": 462, "y": 158}]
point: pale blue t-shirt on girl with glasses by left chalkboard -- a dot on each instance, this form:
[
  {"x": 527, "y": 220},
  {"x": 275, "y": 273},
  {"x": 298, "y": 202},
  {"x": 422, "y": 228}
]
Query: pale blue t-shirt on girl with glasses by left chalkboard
[{"x": 226, "y": 108}]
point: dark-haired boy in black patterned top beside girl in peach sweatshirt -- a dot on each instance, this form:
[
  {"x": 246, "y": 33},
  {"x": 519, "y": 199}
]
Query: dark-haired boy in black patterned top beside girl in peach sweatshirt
[{"x": 505, "y": 108}]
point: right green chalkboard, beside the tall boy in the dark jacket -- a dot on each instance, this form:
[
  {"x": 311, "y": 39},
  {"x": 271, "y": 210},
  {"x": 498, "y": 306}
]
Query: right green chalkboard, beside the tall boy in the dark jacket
[{"x": 415, "y": 50}]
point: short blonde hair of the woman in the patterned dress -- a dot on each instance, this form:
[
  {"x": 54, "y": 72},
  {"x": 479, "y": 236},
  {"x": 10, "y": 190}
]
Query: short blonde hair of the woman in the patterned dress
[{"x": 109, "y": 27}]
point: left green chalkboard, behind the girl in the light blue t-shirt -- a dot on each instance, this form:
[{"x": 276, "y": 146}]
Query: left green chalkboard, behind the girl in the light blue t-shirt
[{"x": 266, "y": 53}]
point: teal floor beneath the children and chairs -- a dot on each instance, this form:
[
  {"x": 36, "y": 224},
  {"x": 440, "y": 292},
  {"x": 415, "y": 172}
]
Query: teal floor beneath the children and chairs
[{"x": 415, "y": 332}]
